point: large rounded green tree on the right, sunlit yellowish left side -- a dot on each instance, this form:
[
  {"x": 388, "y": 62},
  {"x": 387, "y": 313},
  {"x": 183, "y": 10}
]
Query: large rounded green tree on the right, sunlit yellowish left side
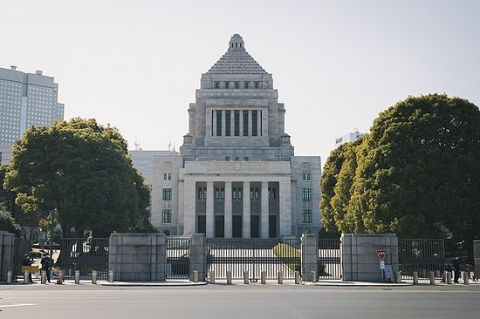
[{"x": 417, "y": 173}]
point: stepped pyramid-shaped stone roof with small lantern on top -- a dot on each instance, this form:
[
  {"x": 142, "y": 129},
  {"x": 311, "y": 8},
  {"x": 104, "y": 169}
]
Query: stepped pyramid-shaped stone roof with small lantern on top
[{"x": 236, "y": 60}]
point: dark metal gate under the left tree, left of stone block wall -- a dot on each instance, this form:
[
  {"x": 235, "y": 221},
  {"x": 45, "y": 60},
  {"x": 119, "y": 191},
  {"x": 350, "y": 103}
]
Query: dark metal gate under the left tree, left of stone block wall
[{"x": 84, "y": 254}]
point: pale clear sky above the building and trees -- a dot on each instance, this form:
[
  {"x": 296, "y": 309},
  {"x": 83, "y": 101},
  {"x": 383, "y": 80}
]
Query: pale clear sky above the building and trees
[{"x": 336, "y": 64}]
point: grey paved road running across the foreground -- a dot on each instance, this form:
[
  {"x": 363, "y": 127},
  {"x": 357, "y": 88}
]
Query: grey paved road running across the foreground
[{"x": 252, "y": 301}]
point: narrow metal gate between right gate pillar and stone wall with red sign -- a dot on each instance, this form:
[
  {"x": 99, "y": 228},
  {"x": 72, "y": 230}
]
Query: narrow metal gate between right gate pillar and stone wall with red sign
[{"x": 330, "y": 266}]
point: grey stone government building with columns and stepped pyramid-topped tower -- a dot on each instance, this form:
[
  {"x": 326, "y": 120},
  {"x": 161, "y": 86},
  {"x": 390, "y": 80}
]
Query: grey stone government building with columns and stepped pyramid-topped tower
[{"x": 236, "y": 174}]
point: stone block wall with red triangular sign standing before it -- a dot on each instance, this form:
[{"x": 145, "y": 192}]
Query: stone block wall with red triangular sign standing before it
[{"x": 359, "y": 258}]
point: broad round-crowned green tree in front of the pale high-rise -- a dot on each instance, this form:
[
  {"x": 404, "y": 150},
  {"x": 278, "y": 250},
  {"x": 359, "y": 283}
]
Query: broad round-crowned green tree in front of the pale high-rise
[{"x": 81, "y": 171}]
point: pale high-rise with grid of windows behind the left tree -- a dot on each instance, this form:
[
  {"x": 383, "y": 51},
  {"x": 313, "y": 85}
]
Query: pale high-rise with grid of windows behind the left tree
[{"x": 26, "y": 100}]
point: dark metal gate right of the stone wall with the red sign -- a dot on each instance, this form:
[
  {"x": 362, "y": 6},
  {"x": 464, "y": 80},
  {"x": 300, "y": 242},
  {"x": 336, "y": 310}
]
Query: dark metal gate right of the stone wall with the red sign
[{"x": 422, "y": 256}]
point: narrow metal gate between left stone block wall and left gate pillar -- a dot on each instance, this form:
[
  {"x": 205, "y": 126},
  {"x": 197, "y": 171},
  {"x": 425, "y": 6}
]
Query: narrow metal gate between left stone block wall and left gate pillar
[{"x": 178, "y": 257}]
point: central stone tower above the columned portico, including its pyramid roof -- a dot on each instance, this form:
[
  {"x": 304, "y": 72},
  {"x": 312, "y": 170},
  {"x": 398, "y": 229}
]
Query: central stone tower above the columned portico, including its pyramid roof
[{"x": 236, "y": 115}]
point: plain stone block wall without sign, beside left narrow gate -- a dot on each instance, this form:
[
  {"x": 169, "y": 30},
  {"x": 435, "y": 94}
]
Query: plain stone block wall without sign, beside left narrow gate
[{"x": 137, "y": 257}]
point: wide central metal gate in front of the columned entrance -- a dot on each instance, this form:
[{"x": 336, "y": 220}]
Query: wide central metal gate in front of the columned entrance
[{"x": 253, "y": 255}]
